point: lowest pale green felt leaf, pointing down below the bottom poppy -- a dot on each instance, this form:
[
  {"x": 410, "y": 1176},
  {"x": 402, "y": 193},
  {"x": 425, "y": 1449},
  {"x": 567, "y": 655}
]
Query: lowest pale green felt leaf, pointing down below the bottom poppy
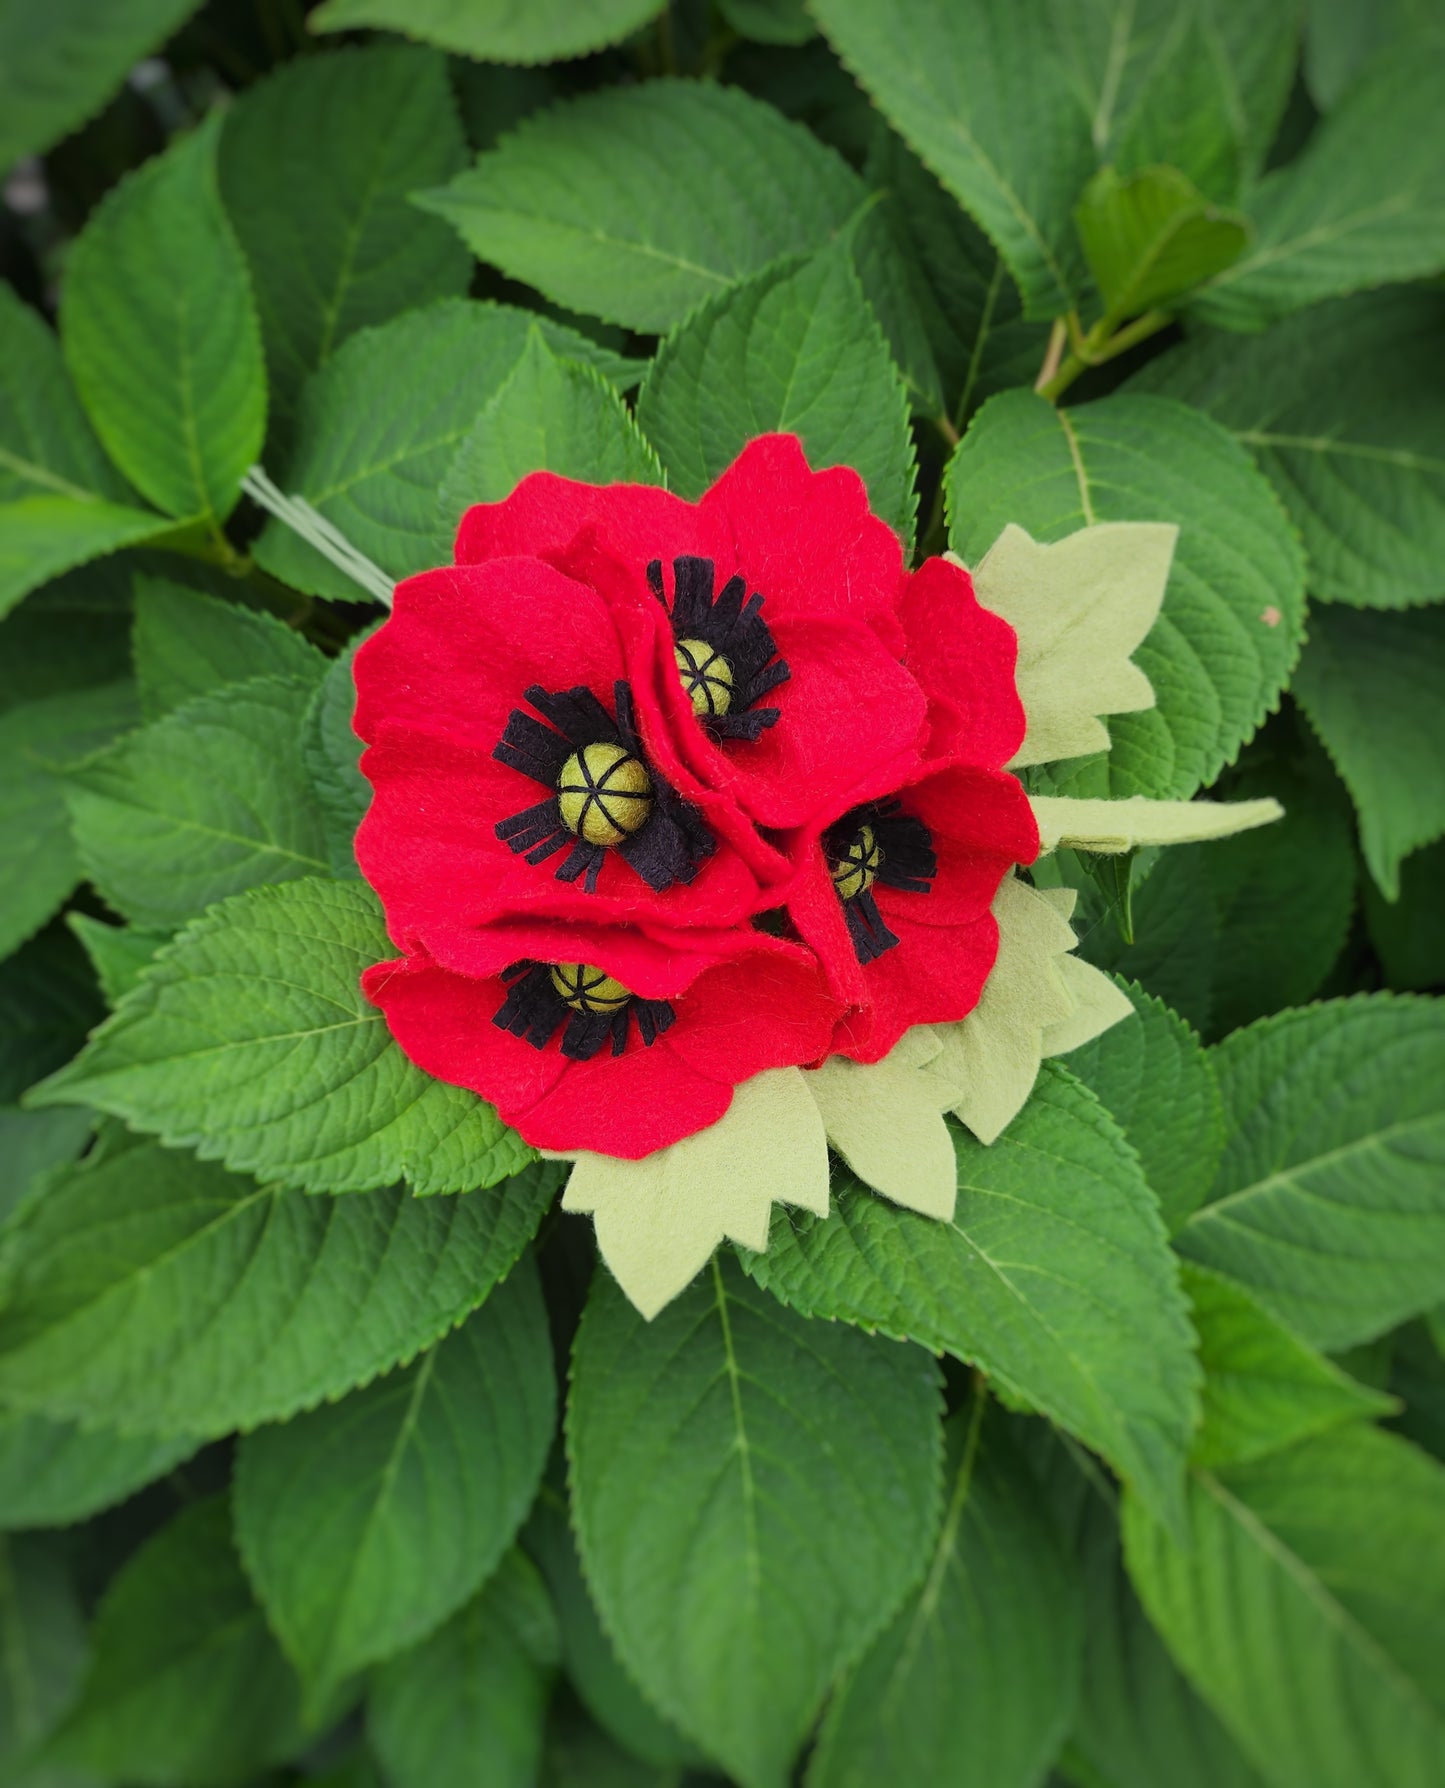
[{"x": 661, "y": 1220}]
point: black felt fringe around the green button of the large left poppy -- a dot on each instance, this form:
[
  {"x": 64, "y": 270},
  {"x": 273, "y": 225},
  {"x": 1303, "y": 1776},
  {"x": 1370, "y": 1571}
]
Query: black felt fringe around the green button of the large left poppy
[{"x": 672, "y": 845}]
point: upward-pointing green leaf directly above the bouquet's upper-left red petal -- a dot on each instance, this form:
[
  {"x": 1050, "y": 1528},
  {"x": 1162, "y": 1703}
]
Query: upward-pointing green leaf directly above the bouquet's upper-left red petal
[{"x": 552, "y": 416}]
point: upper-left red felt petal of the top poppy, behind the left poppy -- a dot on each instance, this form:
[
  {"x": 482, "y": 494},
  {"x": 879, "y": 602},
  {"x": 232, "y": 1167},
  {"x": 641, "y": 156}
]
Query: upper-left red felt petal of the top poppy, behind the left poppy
[{"x": 546, "y": 512}]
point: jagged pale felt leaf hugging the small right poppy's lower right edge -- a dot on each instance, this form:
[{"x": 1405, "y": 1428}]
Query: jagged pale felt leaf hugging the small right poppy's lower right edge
[{"x": 997, "y": 1050}]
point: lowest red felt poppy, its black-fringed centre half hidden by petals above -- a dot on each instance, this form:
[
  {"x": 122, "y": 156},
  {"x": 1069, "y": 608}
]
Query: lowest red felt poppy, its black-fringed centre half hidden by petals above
[{"x": 602, "y": 1038}]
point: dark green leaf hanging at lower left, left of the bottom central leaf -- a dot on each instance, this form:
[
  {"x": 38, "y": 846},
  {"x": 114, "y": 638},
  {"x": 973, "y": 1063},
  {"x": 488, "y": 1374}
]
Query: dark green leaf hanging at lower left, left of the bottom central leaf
[{"x": 366, "y": 1524}]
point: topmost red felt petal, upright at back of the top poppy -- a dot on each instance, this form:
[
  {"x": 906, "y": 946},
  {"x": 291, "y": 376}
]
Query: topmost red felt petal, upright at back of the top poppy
[{"x": 807, "y": 539}]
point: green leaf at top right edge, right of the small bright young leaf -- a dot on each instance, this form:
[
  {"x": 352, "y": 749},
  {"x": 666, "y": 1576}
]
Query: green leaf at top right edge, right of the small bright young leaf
[{"x": 1364, "y": 205}]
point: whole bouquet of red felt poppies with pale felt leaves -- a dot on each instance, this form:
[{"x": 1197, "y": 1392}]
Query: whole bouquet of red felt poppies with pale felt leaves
[{"x": 700, "y": 829}]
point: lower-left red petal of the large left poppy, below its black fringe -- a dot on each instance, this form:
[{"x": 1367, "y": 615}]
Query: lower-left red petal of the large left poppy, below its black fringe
[{"x": 430, "y": 848}]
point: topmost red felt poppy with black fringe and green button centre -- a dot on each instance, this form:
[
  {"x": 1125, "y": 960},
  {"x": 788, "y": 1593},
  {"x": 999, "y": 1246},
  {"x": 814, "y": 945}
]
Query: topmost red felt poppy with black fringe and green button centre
[{"x": 777, "y": 675}]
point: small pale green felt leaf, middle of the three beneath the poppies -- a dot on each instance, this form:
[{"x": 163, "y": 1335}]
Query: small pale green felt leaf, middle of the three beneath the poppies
[{"x": 886, "y": 1120}]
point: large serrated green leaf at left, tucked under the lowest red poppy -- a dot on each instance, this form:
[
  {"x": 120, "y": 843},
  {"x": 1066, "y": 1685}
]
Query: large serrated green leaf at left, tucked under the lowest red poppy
[{"x": 251, "y": 1042}]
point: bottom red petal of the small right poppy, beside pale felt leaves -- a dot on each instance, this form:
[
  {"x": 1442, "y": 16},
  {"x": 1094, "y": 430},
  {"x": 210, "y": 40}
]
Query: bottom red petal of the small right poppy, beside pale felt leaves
[{"x": 934, "y": 975}]
